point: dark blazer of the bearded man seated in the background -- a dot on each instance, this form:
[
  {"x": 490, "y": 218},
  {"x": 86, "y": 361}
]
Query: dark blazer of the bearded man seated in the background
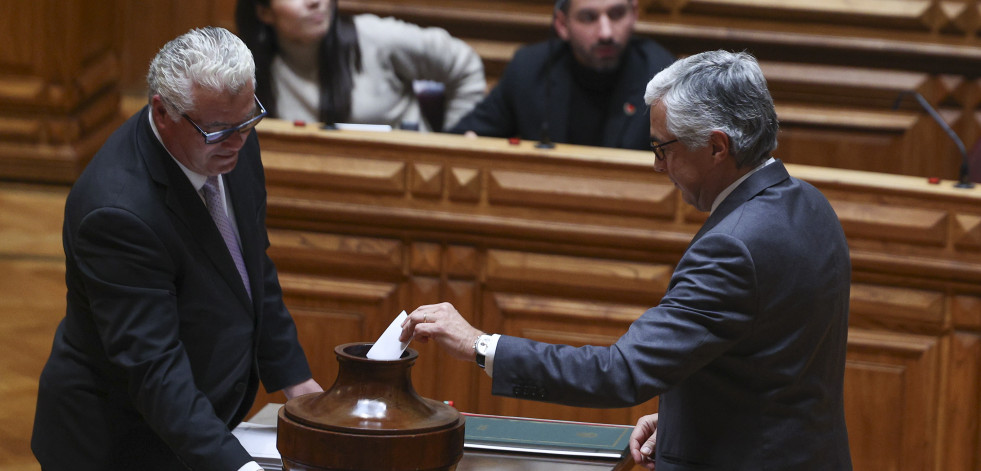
[{"x": 517, "y": 105}]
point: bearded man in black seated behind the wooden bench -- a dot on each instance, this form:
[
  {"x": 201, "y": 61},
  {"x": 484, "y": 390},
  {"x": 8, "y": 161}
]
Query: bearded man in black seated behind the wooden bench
[{"x": 580, "y": 89}]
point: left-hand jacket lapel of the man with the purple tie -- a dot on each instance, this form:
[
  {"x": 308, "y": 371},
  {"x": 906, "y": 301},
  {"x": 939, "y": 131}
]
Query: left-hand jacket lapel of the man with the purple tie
[{"x": 186, "y": 205}]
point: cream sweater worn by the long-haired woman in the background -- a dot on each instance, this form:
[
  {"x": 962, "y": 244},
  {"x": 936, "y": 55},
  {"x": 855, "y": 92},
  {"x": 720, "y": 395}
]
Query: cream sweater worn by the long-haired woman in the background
[{"x": 394, "y": 54}]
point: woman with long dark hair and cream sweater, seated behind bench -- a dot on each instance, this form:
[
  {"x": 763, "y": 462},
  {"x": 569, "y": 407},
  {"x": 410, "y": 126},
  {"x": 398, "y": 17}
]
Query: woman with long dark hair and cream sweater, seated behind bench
[{"x": 315, "y": 65}]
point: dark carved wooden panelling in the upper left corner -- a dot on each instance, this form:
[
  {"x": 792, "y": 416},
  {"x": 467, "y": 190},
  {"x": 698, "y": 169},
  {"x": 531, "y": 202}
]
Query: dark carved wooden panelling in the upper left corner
[{"x": 59, "y": 94}]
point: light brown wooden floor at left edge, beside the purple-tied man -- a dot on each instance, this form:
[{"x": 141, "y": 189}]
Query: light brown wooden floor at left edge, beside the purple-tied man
[{"x": 32, "y": 302}]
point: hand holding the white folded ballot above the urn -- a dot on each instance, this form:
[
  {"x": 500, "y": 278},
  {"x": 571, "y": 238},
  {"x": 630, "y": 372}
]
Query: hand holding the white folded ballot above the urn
[{"x": 442, "y": 323}]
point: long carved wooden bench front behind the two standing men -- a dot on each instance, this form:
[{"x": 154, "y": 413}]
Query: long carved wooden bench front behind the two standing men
[{"x": 570, "y": 245}]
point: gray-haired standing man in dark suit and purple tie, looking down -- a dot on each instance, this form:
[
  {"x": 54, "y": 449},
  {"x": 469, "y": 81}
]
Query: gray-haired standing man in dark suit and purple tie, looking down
[{"x": 175, "y": 312}]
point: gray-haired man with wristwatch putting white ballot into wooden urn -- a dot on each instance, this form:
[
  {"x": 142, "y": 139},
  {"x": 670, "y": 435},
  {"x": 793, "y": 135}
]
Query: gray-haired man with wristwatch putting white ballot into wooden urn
[{"x": 746, "y": 350}]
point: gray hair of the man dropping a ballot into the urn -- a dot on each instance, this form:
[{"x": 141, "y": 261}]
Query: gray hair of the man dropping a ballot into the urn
[{"x": 718, "y": 91}]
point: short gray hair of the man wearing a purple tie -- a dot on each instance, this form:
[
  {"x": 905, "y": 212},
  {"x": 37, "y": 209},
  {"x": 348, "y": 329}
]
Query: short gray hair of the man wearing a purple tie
[{"x": 211, "y": 58}]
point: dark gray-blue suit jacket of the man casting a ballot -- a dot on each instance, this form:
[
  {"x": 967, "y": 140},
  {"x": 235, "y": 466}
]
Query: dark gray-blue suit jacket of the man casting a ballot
[{"x": 746, "y": 349}]
